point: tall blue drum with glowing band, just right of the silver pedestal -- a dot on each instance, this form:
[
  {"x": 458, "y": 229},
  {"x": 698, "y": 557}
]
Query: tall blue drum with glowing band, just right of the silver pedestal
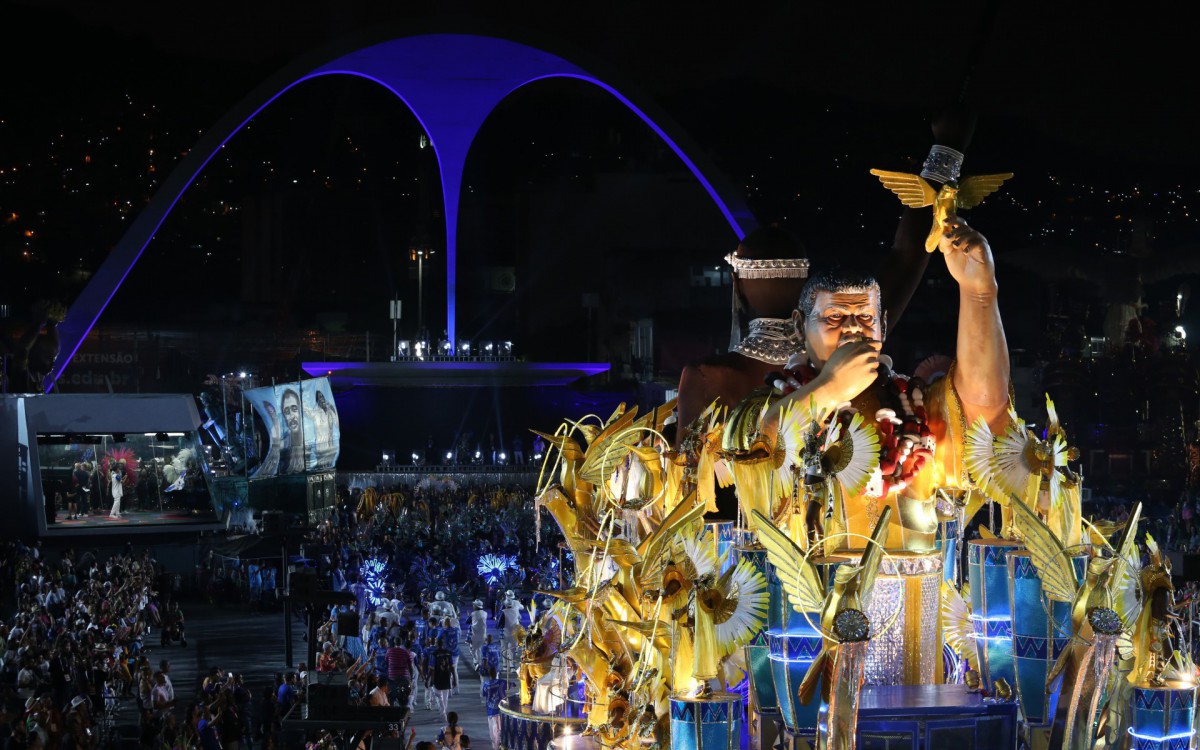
[{"x": 992, "y": 610}]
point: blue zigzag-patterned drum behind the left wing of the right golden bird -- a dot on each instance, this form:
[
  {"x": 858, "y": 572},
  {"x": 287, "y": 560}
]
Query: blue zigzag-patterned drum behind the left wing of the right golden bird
[{"x": 1041, "y": 632}]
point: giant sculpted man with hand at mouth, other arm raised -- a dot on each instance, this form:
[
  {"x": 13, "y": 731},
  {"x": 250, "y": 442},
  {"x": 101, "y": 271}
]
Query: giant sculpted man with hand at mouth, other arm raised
[{"x": 842, "y": 368}]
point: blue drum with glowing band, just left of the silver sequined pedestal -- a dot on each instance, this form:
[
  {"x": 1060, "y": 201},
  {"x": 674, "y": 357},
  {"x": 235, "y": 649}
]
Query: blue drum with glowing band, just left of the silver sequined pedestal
[{"x": 794, "y": 643}]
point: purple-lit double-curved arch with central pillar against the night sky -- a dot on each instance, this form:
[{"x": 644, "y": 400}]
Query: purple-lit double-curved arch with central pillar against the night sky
[{"x": 451, "y": 82}]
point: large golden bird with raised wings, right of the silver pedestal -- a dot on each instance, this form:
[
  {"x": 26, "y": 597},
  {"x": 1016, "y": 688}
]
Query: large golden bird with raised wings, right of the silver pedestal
[{"x": 1101, "y": 615}]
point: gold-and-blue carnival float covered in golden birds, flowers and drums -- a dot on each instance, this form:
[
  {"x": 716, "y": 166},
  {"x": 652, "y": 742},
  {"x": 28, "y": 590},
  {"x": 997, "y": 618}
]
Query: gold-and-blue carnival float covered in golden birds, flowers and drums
[{"x": 835, "y": 611}]
